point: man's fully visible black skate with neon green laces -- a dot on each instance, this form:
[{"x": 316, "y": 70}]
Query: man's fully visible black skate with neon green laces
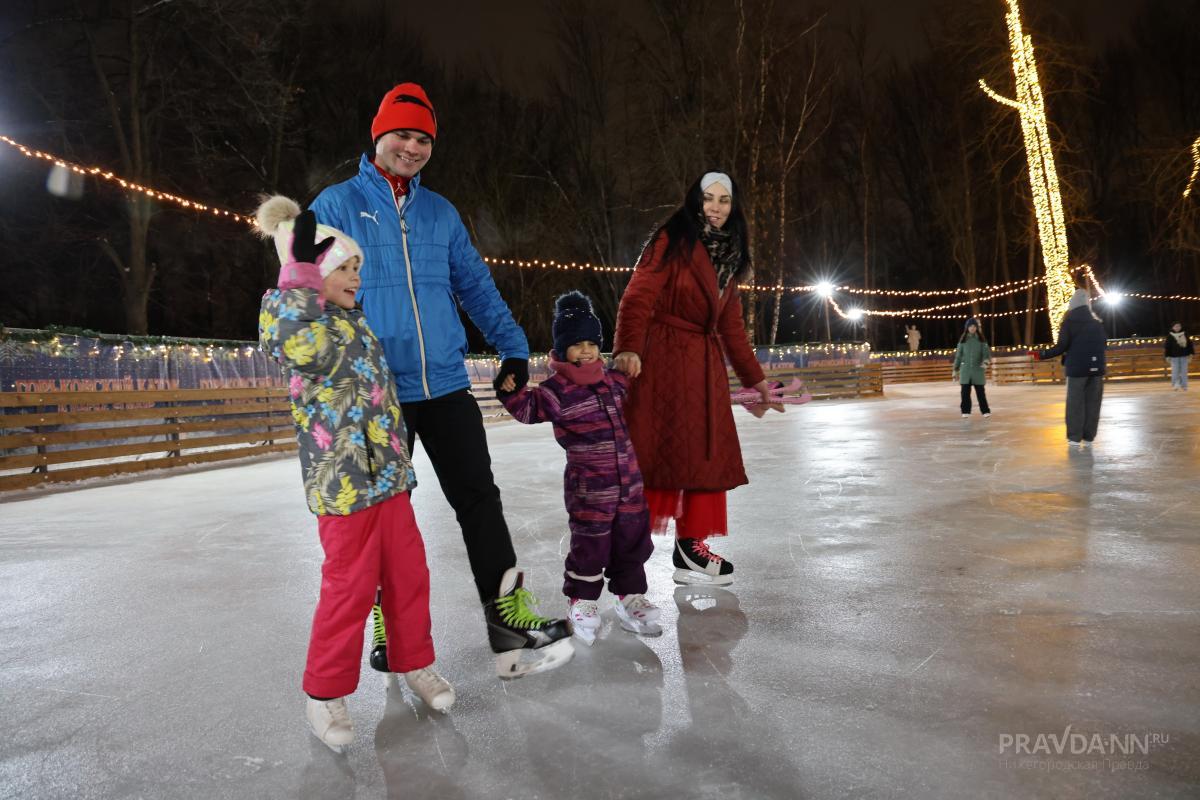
[{"x": 524, "y": 641}]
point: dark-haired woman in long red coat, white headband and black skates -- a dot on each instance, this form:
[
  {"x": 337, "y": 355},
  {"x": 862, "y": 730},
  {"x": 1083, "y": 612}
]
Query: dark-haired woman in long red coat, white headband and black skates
[{"x": 680, "y": 318}]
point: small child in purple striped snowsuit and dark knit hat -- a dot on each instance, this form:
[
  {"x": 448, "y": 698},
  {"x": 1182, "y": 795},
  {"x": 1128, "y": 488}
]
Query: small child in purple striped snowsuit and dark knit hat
[{"x": 609, "y": 519}]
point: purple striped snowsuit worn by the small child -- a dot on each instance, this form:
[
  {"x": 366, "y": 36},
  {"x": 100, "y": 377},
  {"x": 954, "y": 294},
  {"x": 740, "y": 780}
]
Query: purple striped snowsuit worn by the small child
[{"x": 609, "y": 519}]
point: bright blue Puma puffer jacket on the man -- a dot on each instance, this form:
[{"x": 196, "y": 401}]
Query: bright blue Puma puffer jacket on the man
[{"x": 419, "y": 256}]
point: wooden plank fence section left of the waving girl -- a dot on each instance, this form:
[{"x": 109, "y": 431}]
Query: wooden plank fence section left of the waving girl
[{"x": 67, "y": 432}]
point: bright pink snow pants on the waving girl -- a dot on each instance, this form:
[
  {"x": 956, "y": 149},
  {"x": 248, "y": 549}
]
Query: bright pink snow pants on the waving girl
[{"x": 380, "y": 546}]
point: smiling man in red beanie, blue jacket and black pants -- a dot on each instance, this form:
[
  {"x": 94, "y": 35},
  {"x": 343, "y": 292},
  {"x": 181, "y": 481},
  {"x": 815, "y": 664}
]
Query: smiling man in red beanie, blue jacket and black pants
[{"x": 419, "y": 267}]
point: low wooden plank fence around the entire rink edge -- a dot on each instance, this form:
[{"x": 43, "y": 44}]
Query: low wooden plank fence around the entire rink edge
[{"x": 73, "y": 436}]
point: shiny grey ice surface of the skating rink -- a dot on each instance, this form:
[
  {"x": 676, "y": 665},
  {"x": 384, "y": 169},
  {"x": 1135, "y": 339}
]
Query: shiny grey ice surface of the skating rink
[{"x": 915, "y": 593}]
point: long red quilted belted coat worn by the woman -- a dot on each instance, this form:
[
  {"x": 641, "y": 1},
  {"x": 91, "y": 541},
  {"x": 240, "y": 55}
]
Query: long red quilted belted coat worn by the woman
[{"x": 679, "y": 410}]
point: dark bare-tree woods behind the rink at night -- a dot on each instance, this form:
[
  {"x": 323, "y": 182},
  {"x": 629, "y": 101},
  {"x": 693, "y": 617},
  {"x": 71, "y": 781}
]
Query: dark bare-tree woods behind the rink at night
[{"x": 857, "y": 164}]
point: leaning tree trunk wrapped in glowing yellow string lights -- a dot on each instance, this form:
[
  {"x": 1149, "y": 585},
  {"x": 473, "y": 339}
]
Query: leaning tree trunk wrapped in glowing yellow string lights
[{"x": 1043, "y": 177}]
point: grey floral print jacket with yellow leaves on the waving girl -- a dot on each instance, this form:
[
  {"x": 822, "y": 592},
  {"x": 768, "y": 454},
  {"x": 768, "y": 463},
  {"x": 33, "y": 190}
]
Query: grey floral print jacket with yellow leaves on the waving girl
[{"x": 349, "y": 422}]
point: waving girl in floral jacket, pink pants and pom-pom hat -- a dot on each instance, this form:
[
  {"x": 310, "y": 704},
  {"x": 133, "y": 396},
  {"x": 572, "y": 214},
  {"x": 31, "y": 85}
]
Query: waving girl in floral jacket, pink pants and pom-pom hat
[{"x": 357, "y": 472}]
